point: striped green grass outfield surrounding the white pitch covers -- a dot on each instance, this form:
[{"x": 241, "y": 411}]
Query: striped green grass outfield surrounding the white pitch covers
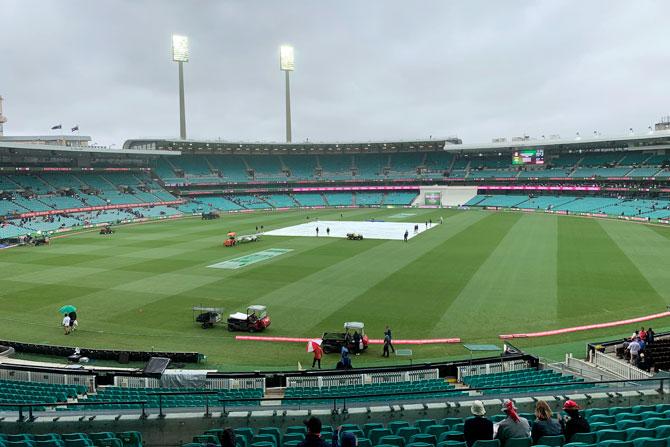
[{"x": 478, "y": 275}]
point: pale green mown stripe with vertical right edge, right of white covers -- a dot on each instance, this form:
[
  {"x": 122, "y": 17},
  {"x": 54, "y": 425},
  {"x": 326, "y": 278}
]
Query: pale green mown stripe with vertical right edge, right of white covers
[{"x": 515, "y": 286}]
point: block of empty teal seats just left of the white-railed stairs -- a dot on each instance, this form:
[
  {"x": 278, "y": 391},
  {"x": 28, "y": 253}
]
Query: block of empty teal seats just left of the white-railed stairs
[{"x": 508, "y": 382}]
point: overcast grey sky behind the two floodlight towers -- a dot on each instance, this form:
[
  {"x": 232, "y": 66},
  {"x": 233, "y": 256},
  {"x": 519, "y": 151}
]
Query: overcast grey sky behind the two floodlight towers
[{"x": 365, "y": 70}]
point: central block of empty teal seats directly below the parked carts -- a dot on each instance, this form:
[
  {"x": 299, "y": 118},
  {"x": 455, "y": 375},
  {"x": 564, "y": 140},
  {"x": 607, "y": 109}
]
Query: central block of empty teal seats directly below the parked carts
[{"x": 429, "y": 389}]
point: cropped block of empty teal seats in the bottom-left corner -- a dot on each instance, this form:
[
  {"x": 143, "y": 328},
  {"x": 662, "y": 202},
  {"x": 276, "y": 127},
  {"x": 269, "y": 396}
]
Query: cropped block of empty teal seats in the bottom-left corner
[{"x": 101, "y": 439}]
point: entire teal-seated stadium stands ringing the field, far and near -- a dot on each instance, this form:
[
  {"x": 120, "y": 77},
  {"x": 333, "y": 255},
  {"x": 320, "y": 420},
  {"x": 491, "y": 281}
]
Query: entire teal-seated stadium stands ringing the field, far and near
[{"x": 63, "y": 185}]
